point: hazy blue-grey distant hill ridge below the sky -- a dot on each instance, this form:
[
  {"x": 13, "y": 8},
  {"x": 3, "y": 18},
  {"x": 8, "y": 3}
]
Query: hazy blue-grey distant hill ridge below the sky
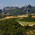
[{"x": 18, "y": 11}]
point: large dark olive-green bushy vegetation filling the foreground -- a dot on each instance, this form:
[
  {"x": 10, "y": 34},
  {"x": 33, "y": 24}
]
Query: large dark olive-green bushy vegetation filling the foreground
[{"x": 12, "y": 27}]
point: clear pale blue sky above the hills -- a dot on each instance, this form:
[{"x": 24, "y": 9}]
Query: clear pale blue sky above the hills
[{"x": 19, "y": 3}]
